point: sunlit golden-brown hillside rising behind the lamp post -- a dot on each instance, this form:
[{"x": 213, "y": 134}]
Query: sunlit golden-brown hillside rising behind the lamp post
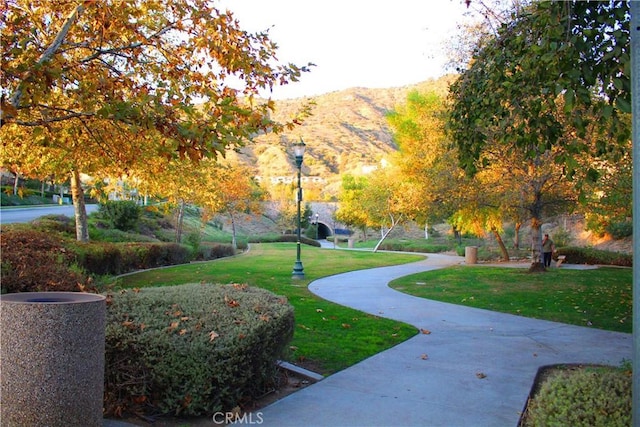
[{"x": 346, "y": 133}]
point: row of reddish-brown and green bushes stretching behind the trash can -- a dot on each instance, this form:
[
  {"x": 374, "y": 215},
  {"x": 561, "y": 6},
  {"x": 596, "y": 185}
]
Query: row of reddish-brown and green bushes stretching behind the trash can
[{"x": 46, "y": 261}]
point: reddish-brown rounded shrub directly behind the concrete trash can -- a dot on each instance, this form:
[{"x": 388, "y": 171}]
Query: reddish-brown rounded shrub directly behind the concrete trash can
[{"x": 33, "y": 261}]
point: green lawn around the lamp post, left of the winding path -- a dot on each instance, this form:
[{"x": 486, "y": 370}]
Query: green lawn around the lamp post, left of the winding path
[{"x": 328, "y": 337}]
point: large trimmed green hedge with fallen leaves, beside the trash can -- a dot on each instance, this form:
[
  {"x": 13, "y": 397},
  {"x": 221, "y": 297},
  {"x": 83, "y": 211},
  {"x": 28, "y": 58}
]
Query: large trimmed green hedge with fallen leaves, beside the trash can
[{"x": 192, "y": 349}]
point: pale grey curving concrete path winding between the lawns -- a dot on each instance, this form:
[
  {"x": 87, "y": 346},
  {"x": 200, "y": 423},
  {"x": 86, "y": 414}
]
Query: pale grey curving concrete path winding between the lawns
[{"x": 475, "y": 368}]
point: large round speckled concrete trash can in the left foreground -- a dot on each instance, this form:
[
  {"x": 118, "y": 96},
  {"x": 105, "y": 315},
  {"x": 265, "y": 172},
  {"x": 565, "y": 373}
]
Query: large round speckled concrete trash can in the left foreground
[{"x": 52, "y": 359}]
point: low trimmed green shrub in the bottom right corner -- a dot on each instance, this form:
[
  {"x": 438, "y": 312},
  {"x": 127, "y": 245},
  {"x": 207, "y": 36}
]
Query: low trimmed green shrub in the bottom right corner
[{"x": 582, "y": 397}]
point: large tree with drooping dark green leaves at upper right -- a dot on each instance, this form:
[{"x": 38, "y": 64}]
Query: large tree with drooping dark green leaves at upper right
[{"x": 552, "y": 85}]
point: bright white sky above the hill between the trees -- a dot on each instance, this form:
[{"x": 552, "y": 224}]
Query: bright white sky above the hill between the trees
[{"x": 354, "y": 43}]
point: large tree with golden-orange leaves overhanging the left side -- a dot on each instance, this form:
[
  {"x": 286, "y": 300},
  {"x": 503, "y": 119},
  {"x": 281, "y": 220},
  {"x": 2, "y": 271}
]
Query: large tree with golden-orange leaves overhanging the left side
[{"x": 87, "y": 83}]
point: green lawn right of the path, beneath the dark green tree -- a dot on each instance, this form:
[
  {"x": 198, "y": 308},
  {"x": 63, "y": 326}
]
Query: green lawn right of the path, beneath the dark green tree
[{"x": 598, "y": 298}]
